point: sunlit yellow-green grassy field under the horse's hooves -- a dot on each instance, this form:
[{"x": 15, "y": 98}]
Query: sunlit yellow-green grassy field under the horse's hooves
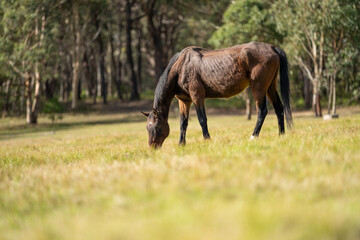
[{"x": 93, "y": 177}]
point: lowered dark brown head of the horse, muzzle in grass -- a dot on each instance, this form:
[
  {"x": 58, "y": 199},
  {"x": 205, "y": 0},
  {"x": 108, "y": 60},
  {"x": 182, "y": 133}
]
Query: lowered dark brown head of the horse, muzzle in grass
[{"x": 157, "y": 127}]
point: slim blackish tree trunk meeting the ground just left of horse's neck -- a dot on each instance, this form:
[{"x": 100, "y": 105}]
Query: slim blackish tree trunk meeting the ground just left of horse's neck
[{"x": 134, "y": 89}]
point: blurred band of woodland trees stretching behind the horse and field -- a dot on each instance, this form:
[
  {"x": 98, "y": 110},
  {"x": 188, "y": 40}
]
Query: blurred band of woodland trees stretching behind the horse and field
[{"x": 77, "y": 51}]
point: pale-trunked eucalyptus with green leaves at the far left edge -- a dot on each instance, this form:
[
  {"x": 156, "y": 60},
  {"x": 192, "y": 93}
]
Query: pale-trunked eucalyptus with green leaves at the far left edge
[{"x": 25, "y": 31}]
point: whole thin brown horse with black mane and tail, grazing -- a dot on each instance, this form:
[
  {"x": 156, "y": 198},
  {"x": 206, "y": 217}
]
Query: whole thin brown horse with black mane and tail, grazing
[{"x": 197, "y": 73}]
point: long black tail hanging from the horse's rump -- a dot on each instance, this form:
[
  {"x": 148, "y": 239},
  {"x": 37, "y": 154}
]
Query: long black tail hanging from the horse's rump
[{"x": 285, "y": 85}]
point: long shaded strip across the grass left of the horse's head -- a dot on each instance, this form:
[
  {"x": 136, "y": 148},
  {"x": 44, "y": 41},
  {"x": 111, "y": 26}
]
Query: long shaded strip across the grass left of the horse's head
[{"x": 43, "y": 129}]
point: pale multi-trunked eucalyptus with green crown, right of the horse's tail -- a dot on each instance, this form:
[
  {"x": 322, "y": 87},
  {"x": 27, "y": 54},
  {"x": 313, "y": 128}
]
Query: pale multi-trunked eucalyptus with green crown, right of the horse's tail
[{"x": 317, "y": 31}]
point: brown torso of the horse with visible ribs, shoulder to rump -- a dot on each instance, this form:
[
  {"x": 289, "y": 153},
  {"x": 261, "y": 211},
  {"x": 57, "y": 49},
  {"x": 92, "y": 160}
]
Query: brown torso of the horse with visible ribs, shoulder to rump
[{"x": 228, "y": 71}]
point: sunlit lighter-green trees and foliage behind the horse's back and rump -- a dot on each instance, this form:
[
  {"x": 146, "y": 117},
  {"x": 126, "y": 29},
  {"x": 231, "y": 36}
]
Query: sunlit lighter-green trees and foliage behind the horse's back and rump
[{"x": 320, "y": 37}]
